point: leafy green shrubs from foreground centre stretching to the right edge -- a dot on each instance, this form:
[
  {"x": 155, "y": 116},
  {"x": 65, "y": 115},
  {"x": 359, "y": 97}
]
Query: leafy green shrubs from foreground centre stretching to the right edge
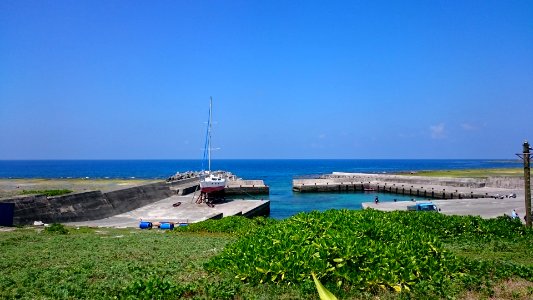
[{"x": 370, "y": 251}]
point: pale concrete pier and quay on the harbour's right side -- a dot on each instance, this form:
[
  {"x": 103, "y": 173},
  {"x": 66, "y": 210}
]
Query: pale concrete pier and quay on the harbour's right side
[{"x": 485, "y": 197}]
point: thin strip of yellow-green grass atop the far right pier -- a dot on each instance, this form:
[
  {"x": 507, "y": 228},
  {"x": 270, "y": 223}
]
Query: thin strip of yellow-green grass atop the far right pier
[{"x": 473, "y": 173}]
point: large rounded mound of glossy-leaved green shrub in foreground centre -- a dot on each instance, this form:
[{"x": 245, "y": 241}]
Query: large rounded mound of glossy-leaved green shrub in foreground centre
[{"x": 361, "y": 249}]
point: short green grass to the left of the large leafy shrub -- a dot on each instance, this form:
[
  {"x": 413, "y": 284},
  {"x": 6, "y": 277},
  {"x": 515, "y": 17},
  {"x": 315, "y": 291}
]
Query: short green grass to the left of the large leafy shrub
[{"x": 95, "y": 264}]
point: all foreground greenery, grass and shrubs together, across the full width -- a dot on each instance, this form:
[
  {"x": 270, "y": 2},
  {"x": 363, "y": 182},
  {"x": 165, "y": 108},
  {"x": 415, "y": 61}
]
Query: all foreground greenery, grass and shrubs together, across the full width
[{"x": 355, "y": 254}]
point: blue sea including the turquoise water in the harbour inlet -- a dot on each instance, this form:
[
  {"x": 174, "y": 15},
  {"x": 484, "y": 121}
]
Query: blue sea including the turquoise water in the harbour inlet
[{"x": 277, "y": 174}]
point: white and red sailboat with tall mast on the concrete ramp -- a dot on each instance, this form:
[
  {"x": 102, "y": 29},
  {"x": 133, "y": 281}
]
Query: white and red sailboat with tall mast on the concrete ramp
[{"x": 210, "y": 181}]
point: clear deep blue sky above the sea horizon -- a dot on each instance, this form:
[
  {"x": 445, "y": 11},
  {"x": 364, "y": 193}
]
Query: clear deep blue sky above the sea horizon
[{"x": 289, "y": 79}]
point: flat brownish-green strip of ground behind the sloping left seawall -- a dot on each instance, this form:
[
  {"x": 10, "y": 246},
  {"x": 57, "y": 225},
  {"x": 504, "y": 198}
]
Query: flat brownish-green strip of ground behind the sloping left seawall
[{"x": 14, "y": 187}]
